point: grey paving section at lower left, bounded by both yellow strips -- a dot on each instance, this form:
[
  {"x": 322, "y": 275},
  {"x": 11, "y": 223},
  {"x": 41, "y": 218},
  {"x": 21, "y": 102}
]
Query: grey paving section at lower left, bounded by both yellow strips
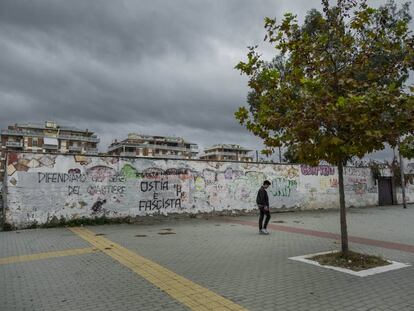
[{"x": 85, "y": 282}]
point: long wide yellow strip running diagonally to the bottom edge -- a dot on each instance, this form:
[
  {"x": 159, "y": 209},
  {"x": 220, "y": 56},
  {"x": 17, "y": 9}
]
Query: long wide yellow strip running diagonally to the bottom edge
[{"x": 192, "y": 295}]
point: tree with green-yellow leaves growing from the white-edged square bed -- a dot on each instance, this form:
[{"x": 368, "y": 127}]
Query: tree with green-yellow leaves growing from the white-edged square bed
[{"x": 342, "y": 89}]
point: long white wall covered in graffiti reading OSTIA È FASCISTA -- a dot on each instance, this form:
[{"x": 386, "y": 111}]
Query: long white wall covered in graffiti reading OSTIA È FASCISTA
[{"x": 41, "y": 186}]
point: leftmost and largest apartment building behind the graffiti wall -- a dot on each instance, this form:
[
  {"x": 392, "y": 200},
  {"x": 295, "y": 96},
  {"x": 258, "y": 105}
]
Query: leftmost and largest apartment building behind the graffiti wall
[{"x": 47, "y": 137}]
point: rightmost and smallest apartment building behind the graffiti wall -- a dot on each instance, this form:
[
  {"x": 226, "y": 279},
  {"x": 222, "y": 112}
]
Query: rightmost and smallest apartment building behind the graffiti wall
[{"x": 226, "y": 152}]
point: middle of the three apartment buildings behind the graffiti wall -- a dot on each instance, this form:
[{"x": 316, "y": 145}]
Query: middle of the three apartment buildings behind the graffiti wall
[{"x": 138, "y": 145}]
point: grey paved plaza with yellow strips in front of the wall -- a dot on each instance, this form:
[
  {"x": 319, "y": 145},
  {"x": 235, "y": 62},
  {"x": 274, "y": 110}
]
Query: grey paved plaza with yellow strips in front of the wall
[{"x": 219, "y": 263}]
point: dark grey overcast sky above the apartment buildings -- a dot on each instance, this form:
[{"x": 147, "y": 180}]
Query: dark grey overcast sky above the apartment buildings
[{"x": 156, "y": 67}]
